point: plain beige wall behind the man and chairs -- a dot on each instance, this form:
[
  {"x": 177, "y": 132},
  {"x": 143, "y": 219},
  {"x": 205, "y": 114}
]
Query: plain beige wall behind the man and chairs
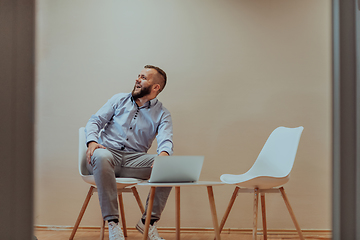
[{"x": 236, "y": 69}]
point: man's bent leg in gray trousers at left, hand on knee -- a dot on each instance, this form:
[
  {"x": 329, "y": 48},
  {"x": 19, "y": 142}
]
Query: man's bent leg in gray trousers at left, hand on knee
[{"x": 102, "y": 167}]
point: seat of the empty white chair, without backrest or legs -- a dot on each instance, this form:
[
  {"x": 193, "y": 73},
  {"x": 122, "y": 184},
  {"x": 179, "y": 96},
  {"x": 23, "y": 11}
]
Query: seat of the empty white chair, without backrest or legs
[{"x": 250, "y": 181}]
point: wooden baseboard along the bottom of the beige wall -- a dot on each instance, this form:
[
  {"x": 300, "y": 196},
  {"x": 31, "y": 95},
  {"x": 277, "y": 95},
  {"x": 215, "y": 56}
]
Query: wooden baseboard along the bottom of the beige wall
[{"x": 306, "y": 232}]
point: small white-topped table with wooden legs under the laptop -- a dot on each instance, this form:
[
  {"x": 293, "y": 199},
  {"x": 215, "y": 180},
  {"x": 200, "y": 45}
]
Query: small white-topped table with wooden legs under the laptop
[{"x": 177, "y": 186}]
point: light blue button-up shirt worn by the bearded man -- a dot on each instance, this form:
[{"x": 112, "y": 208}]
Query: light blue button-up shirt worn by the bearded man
[{"x": 120, "y": 124}]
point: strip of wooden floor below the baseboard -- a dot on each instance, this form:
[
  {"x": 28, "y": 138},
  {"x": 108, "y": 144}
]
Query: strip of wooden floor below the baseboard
[{"x": 87, "y": 234}]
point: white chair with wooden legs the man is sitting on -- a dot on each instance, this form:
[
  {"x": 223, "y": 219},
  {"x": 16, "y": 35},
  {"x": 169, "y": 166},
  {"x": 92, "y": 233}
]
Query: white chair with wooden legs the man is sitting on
[{"x": 123, "y": 185}]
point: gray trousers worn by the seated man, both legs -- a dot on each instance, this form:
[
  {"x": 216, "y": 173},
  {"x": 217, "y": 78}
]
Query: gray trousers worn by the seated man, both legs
[{"x": 107, "y": 164}]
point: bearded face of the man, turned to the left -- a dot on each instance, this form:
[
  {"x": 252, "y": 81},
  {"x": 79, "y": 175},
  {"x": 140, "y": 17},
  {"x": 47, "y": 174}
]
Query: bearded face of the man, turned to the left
[{"x": 144, "y": 83}]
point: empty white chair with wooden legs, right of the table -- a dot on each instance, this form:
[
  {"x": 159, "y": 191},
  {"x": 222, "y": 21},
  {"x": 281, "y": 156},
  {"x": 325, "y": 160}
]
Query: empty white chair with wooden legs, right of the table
[{"x": 271, "y": 169}]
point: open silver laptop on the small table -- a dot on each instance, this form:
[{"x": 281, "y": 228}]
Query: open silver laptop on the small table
[{"x": 176, "y": 169}]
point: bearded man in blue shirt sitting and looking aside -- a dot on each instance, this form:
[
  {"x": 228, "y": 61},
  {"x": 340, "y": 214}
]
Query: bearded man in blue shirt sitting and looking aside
[{"x": 118, "y": 137}]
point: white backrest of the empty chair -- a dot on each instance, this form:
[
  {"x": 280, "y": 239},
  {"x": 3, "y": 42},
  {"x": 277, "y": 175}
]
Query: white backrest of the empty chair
[{"x": 277, "y": 157}]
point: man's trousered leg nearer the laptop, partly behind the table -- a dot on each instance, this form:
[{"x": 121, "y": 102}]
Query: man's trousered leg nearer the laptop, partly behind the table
[{"x": 138, "y": 165}]
